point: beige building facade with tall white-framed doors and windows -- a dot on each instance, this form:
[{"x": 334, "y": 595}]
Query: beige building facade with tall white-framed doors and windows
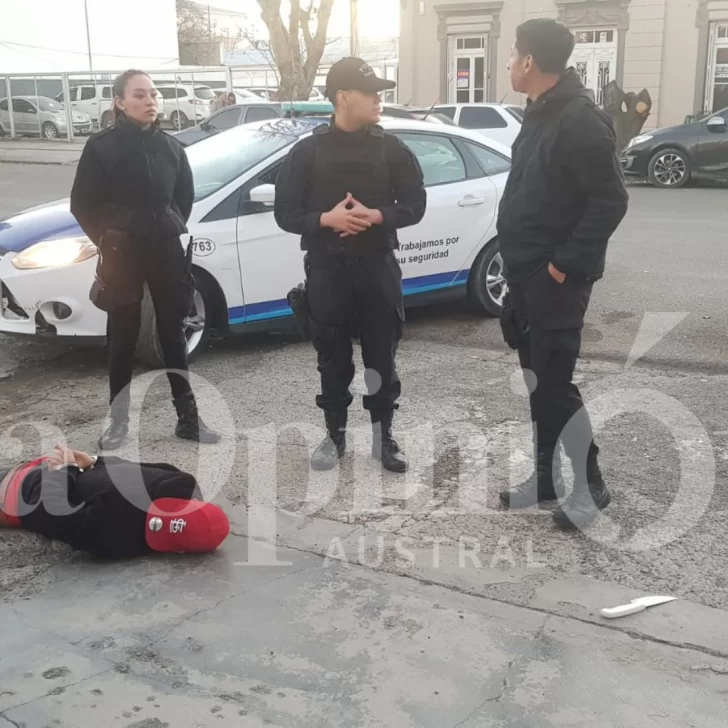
[{"x": 458, "y": 50}]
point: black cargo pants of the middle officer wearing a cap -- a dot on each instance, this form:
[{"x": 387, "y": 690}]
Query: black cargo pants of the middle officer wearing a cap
[{"x": 356, "y": 295}]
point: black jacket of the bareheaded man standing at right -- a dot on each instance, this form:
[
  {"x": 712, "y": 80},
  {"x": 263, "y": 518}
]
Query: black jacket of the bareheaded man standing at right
[{"x": 565, "y": 195}]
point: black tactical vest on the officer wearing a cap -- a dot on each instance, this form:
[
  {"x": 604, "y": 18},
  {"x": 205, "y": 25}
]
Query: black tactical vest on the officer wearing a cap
[{"x": 358, "y": 166}]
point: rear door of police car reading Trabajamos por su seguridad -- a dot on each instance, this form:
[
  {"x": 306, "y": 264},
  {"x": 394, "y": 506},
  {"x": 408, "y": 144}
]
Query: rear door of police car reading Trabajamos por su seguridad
[{"x": 461, "y": 206}]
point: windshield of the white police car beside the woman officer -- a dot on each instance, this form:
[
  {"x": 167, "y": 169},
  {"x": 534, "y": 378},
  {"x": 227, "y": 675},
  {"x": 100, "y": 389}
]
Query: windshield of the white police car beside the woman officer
[{"x": 220, "y": 159}]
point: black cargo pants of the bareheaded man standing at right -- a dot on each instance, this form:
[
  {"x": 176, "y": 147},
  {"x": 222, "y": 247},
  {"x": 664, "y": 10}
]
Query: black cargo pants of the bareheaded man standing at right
[{"x": 549, "y": 318}]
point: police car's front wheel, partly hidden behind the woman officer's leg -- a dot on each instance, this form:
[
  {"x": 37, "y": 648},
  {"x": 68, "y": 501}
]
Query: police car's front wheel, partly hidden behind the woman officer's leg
[{"x": 197, "y": 328}]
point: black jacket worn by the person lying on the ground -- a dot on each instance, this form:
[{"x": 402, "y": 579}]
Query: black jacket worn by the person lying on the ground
[{"x": 102, "y": 510}]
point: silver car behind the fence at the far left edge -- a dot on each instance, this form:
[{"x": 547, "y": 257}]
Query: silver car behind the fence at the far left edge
[{"x": 41, "y": 116}]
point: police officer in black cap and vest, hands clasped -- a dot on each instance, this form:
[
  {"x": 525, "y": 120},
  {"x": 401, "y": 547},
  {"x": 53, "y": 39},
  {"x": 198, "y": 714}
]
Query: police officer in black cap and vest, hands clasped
[{"x": 346, "y": 190}]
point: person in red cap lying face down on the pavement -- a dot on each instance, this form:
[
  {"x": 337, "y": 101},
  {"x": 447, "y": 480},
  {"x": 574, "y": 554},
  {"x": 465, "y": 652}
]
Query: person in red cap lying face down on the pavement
[{"x": 110, "y": 507}]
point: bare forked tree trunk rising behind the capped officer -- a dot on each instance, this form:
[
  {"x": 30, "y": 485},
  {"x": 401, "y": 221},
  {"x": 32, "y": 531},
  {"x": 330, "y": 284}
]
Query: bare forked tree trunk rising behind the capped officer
[{"x": 296, "y": 49}]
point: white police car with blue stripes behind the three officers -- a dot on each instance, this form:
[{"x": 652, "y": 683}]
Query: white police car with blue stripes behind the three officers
[{"x": 244, "y": 264}]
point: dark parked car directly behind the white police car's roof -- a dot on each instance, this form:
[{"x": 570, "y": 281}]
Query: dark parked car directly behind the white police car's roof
[{"x": 232, "y": 116}]
